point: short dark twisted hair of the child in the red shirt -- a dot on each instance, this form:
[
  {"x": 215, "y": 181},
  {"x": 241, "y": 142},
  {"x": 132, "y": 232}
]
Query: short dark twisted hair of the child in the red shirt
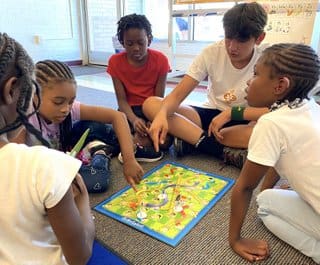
[{"x": 133, "y": 21}]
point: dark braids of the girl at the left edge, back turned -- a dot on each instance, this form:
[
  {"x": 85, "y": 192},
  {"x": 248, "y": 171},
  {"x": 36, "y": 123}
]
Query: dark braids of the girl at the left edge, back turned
[{"x": 15, "y": 62}]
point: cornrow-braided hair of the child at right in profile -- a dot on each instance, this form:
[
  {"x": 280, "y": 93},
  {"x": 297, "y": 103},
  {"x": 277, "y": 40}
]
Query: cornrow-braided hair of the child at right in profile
[{"x": 298, "y": 62}]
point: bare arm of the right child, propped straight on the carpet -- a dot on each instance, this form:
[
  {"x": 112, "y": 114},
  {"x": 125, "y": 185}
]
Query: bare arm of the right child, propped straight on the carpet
[{"x": 250, "y": 249}]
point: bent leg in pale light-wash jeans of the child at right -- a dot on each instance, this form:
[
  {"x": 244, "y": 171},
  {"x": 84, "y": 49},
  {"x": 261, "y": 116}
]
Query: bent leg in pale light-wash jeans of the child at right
[{"x": 291, "y": 219}]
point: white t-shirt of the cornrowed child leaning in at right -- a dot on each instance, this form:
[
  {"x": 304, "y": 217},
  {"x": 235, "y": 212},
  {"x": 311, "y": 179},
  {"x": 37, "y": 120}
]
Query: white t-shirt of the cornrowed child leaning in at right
[{"x": 289, "y": 140}]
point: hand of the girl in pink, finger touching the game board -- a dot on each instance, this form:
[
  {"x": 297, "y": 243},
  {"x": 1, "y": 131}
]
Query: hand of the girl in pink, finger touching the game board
[{"x": 133, "y": 172}]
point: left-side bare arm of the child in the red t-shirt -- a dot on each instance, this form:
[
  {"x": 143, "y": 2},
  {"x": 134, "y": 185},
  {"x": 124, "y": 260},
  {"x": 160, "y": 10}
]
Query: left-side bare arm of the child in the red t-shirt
[{"x": 138, "y": 123}]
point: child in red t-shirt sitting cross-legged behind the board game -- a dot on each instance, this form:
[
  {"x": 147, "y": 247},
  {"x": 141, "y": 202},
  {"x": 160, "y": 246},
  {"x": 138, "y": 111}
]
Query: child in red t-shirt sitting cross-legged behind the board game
[{"x": 138, "y": 73}]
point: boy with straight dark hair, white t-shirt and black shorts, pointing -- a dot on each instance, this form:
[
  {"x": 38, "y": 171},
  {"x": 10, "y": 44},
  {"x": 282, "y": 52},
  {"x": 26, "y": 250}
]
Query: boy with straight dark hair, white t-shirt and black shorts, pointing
[{"x": 228, "y": 64}]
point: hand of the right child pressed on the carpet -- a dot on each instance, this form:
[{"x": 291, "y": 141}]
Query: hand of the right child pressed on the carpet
[{"x": 251, "y": 249}]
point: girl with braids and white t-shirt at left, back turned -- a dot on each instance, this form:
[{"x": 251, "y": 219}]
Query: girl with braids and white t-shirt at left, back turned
[{"x": 44, "y": 204}]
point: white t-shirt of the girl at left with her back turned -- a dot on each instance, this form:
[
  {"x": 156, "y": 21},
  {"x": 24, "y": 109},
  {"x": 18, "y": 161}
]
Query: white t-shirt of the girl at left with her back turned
[{"x": 32, "y": 179}]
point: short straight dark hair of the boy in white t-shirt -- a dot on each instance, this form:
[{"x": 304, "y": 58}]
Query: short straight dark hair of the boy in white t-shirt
[{"x": 244, "y": 21}]
